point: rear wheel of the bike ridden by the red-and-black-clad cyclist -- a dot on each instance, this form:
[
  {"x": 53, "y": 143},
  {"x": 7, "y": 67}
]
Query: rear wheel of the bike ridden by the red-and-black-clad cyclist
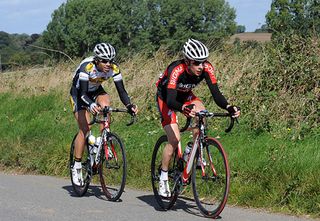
[{"x": 164, "y": 203}]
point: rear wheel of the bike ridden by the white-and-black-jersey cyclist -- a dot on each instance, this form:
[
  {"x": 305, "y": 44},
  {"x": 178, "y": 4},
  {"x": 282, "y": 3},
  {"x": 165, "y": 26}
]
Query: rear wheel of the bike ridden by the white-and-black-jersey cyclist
[{"x": 86, "y": 169}]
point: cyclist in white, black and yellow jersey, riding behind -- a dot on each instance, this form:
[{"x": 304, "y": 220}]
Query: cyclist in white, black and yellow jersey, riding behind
[{"x": 87, "y": 93}]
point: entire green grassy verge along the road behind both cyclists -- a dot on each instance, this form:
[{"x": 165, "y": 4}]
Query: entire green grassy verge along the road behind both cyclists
[{"x": 267, "y": 171}]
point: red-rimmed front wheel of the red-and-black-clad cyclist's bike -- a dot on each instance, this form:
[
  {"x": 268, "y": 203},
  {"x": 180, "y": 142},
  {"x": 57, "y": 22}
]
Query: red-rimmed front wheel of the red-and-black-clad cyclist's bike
[{"x": 211, "y": 185}]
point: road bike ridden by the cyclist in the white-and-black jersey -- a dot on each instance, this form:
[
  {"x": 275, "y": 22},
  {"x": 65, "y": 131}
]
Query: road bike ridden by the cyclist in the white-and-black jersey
[{"x": 109, "y": 161}]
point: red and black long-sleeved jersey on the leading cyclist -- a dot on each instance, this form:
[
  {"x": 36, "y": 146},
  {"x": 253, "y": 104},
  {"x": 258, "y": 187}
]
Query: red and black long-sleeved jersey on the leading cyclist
[{"x": 176, "y": 83}]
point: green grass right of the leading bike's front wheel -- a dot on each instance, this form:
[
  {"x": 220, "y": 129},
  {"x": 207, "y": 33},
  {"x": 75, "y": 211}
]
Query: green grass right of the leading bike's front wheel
[{"x": 275, "y": 173}]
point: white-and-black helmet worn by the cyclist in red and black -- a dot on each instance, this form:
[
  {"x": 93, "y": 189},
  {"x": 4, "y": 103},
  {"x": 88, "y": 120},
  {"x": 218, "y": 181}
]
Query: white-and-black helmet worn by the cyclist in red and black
[{"x": 195, "y": 50}]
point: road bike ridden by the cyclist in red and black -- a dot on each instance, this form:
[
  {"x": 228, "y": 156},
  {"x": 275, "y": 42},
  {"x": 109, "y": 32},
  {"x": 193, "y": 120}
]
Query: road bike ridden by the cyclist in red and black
[{"x": 206, "y": 168}]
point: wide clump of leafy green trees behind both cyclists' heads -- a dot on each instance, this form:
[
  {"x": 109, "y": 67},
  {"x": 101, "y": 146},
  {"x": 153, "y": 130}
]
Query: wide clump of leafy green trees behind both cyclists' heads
[{"x": 134, "y": 25}]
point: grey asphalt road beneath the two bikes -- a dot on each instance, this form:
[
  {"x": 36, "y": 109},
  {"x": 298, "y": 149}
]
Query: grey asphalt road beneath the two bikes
[{"x": 29, "y": 197}]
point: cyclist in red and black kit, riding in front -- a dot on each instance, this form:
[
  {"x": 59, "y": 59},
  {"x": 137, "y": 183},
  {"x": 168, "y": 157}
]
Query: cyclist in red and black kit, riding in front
[{"x": 174, "y": 93}]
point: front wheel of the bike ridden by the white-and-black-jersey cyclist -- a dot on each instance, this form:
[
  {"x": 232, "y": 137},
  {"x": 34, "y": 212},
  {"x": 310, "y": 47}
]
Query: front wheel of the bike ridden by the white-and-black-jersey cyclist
[{"x": 113, "y": 167}]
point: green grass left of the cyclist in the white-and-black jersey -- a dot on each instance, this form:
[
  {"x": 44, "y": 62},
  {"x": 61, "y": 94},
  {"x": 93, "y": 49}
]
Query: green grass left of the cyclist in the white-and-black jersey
[{"x": 35, "y": 133}]
